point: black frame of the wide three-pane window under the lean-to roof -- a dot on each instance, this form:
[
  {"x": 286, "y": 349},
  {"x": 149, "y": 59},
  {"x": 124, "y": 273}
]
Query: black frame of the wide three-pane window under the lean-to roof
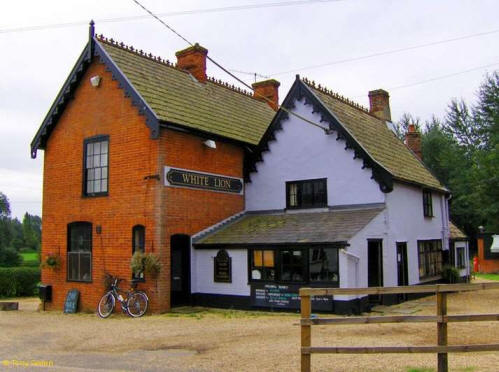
[{"x": 306, "y": 252}]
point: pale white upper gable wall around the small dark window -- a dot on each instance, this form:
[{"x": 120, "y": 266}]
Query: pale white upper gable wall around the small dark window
[{"x": 302, "y": 151}]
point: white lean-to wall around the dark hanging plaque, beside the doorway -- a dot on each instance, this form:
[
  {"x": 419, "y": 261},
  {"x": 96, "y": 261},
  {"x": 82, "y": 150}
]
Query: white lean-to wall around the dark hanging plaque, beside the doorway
[{"x": 202, "y": 273}]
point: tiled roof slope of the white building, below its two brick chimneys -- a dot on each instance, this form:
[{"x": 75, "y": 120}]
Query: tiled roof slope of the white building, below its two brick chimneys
[{"x": 377, "y": 139}]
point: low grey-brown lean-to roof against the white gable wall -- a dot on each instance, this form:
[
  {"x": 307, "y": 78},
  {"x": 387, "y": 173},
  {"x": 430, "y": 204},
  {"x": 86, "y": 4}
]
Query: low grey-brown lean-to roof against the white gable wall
[{"x": 284, "y": 227}]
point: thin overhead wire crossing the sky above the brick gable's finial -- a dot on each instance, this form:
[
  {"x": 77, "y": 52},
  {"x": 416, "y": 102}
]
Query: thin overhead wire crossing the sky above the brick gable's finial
[{"x": 169, "y": 14}]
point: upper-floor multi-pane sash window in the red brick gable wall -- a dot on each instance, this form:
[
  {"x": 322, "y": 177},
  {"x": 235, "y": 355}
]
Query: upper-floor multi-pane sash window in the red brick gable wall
[{"x": 96, "y": 166}]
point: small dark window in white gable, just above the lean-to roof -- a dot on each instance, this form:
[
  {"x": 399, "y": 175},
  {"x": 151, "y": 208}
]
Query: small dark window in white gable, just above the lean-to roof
[{"x": 306, "y": 194}]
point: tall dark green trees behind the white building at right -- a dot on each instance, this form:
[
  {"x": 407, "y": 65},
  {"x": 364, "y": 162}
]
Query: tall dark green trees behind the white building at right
[{"x": 462, "y": 151}]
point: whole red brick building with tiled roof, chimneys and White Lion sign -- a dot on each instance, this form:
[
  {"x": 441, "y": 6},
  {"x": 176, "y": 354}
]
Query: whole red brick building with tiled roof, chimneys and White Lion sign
[{"x": 123, "y": 123}]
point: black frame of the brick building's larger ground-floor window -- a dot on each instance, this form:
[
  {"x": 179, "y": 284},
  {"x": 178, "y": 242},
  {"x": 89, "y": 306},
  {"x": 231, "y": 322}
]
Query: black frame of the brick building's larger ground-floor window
[{"x": 79, "y": 253}]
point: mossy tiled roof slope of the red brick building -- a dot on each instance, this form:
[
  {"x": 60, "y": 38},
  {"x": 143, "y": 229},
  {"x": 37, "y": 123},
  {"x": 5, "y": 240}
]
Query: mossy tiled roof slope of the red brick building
[{"x": 176, "y": 97}]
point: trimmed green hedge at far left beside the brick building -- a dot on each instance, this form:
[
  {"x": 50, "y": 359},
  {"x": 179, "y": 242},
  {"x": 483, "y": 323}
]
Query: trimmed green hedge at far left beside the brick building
[{"x": 19, "y": 281}]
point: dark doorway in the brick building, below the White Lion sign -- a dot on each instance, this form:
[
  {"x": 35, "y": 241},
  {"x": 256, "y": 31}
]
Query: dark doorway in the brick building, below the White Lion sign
[{"x": 180, "y": 246}]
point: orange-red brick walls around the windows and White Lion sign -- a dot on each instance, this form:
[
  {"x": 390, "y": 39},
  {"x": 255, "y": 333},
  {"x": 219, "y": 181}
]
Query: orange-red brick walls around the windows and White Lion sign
[{"x": 131, "y": 199}]
